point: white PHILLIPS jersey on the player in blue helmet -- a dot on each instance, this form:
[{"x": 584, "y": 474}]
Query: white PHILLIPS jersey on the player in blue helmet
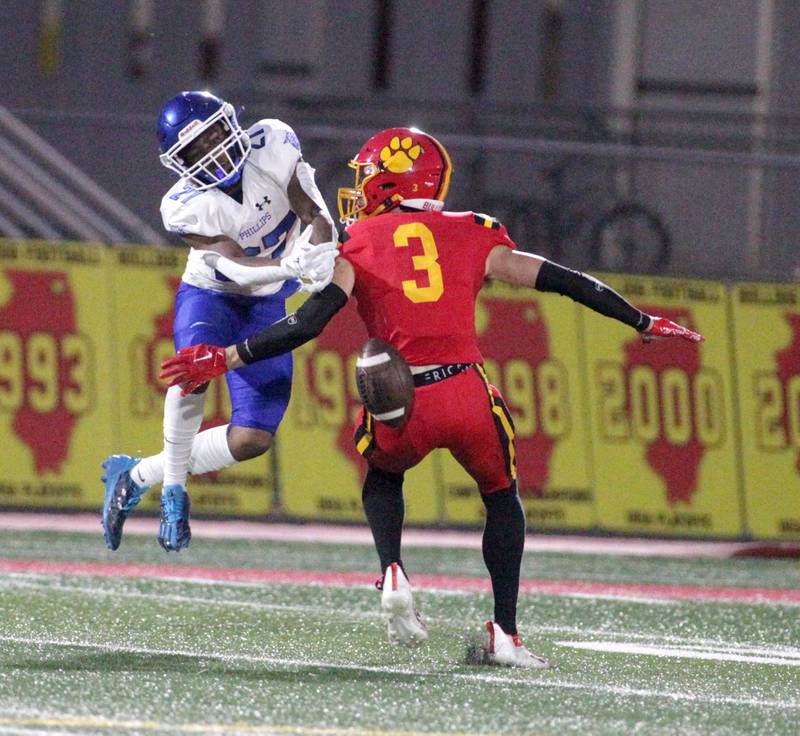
[{"x": 263, "y": 224}]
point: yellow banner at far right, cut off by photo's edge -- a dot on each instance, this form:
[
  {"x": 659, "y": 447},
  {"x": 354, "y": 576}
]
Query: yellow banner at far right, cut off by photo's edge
[{"x": 767, "y": 338}]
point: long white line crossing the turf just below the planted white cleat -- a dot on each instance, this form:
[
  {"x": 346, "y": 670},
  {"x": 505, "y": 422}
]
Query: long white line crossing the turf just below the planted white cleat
[{"x": 517, "y": 678}]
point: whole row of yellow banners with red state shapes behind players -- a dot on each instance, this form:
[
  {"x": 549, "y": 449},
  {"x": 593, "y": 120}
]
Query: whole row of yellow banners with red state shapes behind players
[{"x": 611, "y": 433}]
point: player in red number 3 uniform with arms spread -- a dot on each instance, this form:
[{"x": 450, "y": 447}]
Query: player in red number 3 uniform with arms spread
[{"x": 415, "y": 271}]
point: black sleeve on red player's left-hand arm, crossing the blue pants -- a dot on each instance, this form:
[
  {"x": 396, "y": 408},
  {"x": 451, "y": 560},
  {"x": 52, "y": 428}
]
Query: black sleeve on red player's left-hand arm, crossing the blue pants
[{"x": 294, "y": 329}]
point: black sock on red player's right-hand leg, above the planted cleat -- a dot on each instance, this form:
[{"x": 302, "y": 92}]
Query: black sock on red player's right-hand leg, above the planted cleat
[{"x": 503, "y": 543}]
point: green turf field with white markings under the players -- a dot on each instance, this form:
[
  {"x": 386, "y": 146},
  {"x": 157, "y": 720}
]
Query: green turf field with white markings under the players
[{"x": 85, "y": 654}]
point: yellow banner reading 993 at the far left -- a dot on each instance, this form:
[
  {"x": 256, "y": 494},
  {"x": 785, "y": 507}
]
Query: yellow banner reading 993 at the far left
[{"x": 56, "y": 404}]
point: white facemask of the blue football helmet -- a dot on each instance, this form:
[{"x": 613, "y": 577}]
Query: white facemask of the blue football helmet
[{"x": 210, "y": 153}]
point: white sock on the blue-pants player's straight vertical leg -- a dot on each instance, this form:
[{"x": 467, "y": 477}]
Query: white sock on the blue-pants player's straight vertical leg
[{"x": 182, "y": 418}]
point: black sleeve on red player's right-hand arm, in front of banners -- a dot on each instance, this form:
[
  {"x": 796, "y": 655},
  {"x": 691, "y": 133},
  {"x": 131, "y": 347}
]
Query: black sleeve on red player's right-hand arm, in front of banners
[{"x": 590, "y": 292}]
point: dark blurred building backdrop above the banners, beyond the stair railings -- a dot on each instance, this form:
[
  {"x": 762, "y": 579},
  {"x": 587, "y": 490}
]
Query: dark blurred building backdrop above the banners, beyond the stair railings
[{"x": 553, "y": 111}]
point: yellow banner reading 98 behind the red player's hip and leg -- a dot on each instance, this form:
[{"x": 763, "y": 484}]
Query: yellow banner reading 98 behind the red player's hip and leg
[{"x": 531, "y": 345}]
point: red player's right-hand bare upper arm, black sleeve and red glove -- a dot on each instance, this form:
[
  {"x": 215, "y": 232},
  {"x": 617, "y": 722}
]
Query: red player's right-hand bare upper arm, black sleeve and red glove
[{"x": 524, "y": 269}]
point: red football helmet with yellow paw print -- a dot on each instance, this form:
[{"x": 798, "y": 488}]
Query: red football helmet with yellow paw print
[{"x": 393, "y": 165}]
